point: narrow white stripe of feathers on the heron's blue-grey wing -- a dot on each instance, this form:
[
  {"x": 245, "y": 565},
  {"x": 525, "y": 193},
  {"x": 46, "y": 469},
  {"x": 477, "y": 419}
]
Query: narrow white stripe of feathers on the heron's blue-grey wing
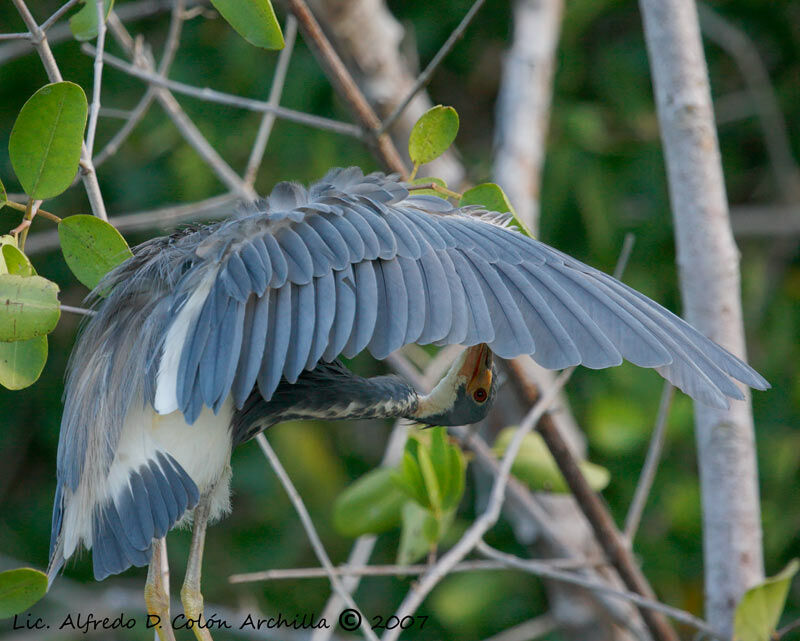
[{"x": 166, "y": 400}]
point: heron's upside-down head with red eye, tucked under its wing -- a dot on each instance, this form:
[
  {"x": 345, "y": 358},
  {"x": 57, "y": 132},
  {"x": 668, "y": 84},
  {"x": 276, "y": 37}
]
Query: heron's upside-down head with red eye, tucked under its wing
[{"x": 465, "y": 394}]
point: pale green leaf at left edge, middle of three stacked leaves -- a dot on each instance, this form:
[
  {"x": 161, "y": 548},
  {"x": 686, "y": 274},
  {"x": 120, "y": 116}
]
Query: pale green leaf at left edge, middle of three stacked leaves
[{"x": 28, "y": 307}]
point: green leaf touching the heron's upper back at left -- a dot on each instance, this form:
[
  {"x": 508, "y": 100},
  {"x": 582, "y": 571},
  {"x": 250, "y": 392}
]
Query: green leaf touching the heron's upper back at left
[{"x": 91, "y": 247}]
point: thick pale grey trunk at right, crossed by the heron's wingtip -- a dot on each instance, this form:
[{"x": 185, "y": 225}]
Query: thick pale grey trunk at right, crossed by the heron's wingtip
[{"x": 708, "y": 263}]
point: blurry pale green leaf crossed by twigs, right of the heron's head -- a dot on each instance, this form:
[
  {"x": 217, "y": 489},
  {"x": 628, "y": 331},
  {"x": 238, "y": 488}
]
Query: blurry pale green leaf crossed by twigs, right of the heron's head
[{"x": 536, "y": 467}]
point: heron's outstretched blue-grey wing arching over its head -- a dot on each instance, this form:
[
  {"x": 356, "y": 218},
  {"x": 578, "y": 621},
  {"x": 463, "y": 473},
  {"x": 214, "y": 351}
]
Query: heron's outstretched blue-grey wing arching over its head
[{"x": 356, "y": 262}]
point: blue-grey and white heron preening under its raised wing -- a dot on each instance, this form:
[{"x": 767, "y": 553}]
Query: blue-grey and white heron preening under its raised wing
[{"x": 208, "y": 336}]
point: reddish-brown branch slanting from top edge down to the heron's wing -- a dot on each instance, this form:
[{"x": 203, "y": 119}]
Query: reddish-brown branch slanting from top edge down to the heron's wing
[{"x": 345, "y": 85}]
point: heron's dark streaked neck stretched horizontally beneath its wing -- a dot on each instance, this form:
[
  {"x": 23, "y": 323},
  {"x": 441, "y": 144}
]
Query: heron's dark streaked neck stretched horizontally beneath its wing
[{"x": 329, "y": 392}]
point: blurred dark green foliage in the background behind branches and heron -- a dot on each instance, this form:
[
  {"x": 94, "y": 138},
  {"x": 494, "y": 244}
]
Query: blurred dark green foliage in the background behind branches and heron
[{"x": 604, "y": 177}]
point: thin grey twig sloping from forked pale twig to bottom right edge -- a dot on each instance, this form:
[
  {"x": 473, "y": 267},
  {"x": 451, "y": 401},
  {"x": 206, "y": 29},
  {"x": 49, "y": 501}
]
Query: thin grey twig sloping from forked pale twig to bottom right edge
[{"x": 541, "y": 569}]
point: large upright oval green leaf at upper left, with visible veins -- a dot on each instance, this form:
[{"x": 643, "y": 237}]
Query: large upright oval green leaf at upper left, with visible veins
[{"x": 45, "y": 143}]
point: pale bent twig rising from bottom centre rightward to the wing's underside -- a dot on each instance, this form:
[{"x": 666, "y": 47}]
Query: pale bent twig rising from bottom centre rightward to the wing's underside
[{"x": 486, "y": 520}]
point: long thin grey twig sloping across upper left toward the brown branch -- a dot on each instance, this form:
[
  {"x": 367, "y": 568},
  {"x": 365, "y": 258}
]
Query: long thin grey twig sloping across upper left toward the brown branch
[{"x": 211, "y": 95}]
